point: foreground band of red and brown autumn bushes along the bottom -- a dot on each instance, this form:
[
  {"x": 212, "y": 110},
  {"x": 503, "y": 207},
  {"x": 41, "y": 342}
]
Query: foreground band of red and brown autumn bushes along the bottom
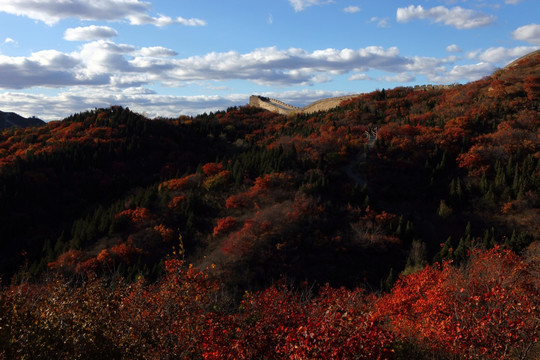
[{"x": 487, "y": 308}]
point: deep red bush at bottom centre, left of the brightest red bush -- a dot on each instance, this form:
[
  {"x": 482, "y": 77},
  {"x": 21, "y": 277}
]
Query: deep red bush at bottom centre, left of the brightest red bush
[{"x": 335, "y": 325}]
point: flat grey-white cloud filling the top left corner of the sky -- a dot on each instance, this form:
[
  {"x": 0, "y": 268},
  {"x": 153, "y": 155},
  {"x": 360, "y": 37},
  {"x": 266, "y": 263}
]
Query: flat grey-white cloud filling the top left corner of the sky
[{"x": 52, "y": 11}]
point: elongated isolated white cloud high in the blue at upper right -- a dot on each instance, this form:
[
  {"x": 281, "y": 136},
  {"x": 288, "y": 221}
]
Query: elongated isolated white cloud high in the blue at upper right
[{"x": 457, "y": 17}]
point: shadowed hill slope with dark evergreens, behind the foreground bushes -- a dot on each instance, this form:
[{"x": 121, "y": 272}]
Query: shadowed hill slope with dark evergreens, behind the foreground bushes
[{"x": 265, "y": 196}]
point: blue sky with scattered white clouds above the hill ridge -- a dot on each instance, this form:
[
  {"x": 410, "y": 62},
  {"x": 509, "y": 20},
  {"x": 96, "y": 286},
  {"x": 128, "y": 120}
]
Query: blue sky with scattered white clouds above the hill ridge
[{"x": 167, "y": 58}]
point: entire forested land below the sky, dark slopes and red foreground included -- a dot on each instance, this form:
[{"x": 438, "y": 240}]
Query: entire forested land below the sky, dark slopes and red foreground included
[{"x": 403, "y": 224}]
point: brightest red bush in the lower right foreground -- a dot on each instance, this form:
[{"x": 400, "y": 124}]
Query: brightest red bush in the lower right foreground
[{"x": 484, "y": 309}]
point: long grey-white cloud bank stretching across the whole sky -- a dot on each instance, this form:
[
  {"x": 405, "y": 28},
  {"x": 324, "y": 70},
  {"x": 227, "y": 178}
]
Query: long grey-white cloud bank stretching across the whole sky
[{"x": 123, "y": 66}]
